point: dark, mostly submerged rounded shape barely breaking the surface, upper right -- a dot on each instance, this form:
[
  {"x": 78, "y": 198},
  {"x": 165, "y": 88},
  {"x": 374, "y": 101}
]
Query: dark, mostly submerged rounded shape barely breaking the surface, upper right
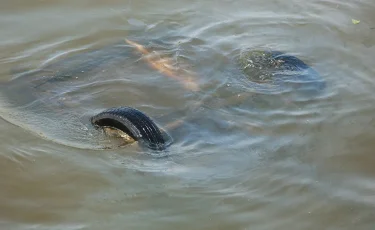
[{"x": 276, "y": 72}]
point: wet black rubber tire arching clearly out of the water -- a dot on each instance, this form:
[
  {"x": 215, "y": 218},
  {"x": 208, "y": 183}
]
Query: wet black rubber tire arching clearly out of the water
[{"x": 133, "y": 122}]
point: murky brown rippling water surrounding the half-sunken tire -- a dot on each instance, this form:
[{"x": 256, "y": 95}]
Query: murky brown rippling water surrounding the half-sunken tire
[{"x": 263, "y": 161}]
